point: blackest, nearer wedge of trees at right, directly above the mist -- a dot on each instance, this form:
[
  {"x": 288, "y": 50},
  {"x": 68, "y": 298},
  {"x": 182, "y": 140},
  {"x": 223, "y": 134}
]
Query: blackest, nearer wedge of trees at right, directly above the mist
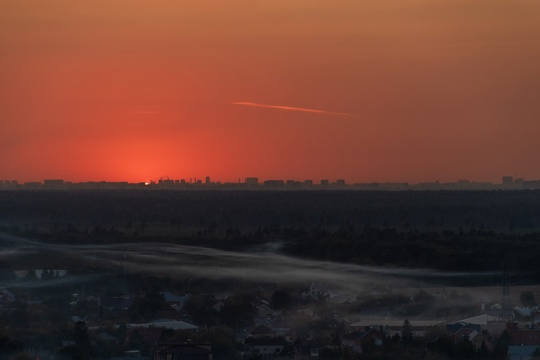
[{"x": 475, "y": 251}]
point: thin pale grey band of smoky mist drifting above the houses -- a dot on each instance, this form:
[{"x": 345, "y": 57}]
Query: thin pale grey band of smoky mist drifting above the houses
[{"x": 260, "y": 264}]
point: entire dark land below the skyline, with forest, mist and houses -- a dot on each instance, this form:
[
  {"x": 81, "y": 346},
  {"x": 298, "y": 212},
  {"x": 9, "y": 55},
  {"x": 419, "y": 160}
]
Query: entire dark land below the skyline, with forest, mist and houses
[{"x": 339, "y": 274}]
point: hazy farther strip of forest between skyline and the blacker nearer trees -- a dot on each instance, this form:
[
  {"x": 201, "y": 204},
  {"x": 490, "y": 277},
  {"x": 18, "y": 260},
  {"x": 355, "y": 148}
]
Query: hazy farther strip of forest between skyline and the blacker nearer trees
[{"x": 506, "y": 211}]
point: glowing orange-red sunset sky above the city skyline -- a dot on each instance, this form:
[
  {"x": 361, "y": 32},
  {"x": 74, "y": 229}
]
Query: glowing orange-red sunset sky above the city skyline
[{"x": 418, "y": 90}]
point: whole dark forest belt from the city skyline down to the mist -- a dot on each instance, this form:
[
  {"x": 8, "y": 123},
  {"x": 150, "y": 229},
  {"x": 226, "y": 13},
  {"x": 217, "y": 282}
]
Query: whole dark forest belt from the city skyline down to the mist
[{"x": 446, "y": 230}]
